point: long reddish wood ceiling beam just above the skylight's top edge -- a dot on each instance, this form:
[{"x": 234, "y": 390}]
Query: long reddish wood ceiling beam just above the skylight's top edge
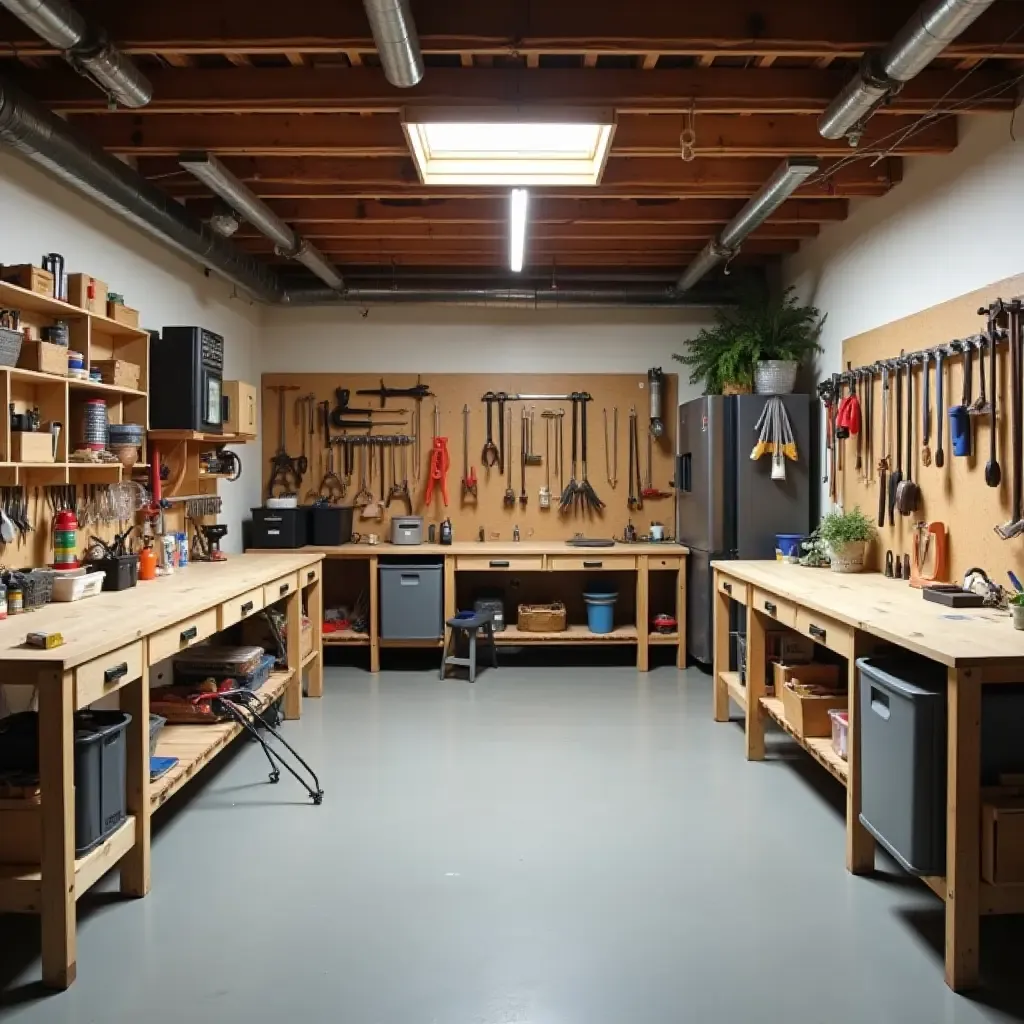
[{"x": 714, "y": 91}]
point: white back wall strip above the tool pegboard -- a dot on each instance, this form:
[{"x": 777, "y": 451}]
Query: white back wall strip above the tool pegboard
[{"x": 447, "y": 340}]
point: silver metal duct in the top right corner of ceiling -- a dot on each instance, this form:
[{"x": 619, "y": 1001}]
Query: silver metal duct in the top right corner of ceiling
[{"x": 933, "y": 27}]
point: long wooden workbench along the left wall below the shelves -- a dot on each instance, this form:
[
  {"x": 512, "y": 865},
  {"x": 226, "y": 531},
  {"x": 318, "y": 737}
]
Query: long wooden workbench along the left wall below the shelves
[{"x": 112, "y": 643}]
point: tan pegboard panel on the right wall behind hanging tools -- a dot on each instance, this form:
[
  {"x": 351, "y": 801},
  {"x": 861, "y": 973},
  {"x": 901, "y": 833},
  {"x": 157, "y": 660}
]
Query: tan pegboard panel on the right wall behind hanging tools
[{"x": 955, "y": 495}]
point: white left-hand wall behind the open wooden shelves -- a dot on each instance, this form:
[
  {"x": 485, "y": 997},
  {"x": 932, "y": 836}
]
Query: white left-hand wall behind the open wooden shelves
[{"x": 41, "y": 216}]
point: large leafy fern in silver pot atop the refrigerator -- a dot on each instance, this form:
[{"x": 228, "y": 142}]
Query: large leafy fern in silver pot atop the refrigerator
[{"x": 761, "y": 342}]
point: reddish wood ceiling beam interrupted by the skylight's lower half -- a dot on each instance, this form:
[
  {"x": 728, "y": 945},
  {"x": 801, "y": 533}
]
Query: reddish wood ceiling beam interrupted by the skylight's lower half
[{"x": 724, "y": 178}]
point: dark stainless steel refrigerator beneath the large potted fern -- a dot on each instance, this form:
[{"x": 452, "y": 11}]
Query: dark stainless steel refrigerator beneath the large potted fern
[{"x": 728, "y": 505}]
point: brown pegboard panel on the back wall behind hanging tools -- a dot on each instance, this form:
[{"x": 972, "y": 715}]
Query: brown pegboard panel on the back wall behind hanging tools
[{"x": 453, "y": 392}]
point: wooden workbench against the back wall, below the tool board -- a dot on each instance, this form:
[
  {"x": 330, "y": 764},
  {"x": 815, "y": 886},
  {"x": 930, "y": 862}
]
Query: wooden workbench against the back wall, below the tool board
[{"x": 522, "y": 558}]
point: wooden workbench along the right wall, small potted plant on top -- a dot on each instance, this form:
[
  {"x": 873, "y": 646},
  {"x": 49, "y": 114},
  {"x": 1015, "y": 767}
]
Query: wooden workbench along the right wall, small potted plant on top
[{"x": 852, "y": 616}]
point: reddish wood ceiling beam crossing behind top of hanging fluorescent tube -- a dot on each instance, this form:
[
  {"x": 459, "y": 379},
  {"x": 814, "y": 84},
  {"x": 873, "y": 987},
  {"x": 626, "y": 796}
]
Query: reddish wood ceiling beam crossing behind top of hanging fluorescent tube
[{"x": 482, "y": 210}]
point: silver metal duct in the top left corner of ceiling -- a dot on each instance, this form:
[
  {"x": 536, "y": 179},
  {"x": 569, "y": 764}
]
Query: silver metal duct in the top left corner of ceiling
[{"x": 88, "y": 50}]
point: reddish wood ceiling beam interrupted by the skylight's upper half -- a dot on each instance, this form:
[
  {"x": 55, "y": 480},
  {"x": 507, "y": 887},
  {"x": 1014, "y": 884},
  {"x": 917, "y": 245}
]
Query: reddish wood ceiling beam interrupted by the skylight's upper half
[{"x": 381, "y": 136}]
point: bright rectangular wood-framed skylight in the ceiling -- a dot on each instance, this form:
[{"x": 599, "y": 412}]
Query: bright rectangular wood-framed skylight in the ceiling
[{"x": 509, "y": 146}]
